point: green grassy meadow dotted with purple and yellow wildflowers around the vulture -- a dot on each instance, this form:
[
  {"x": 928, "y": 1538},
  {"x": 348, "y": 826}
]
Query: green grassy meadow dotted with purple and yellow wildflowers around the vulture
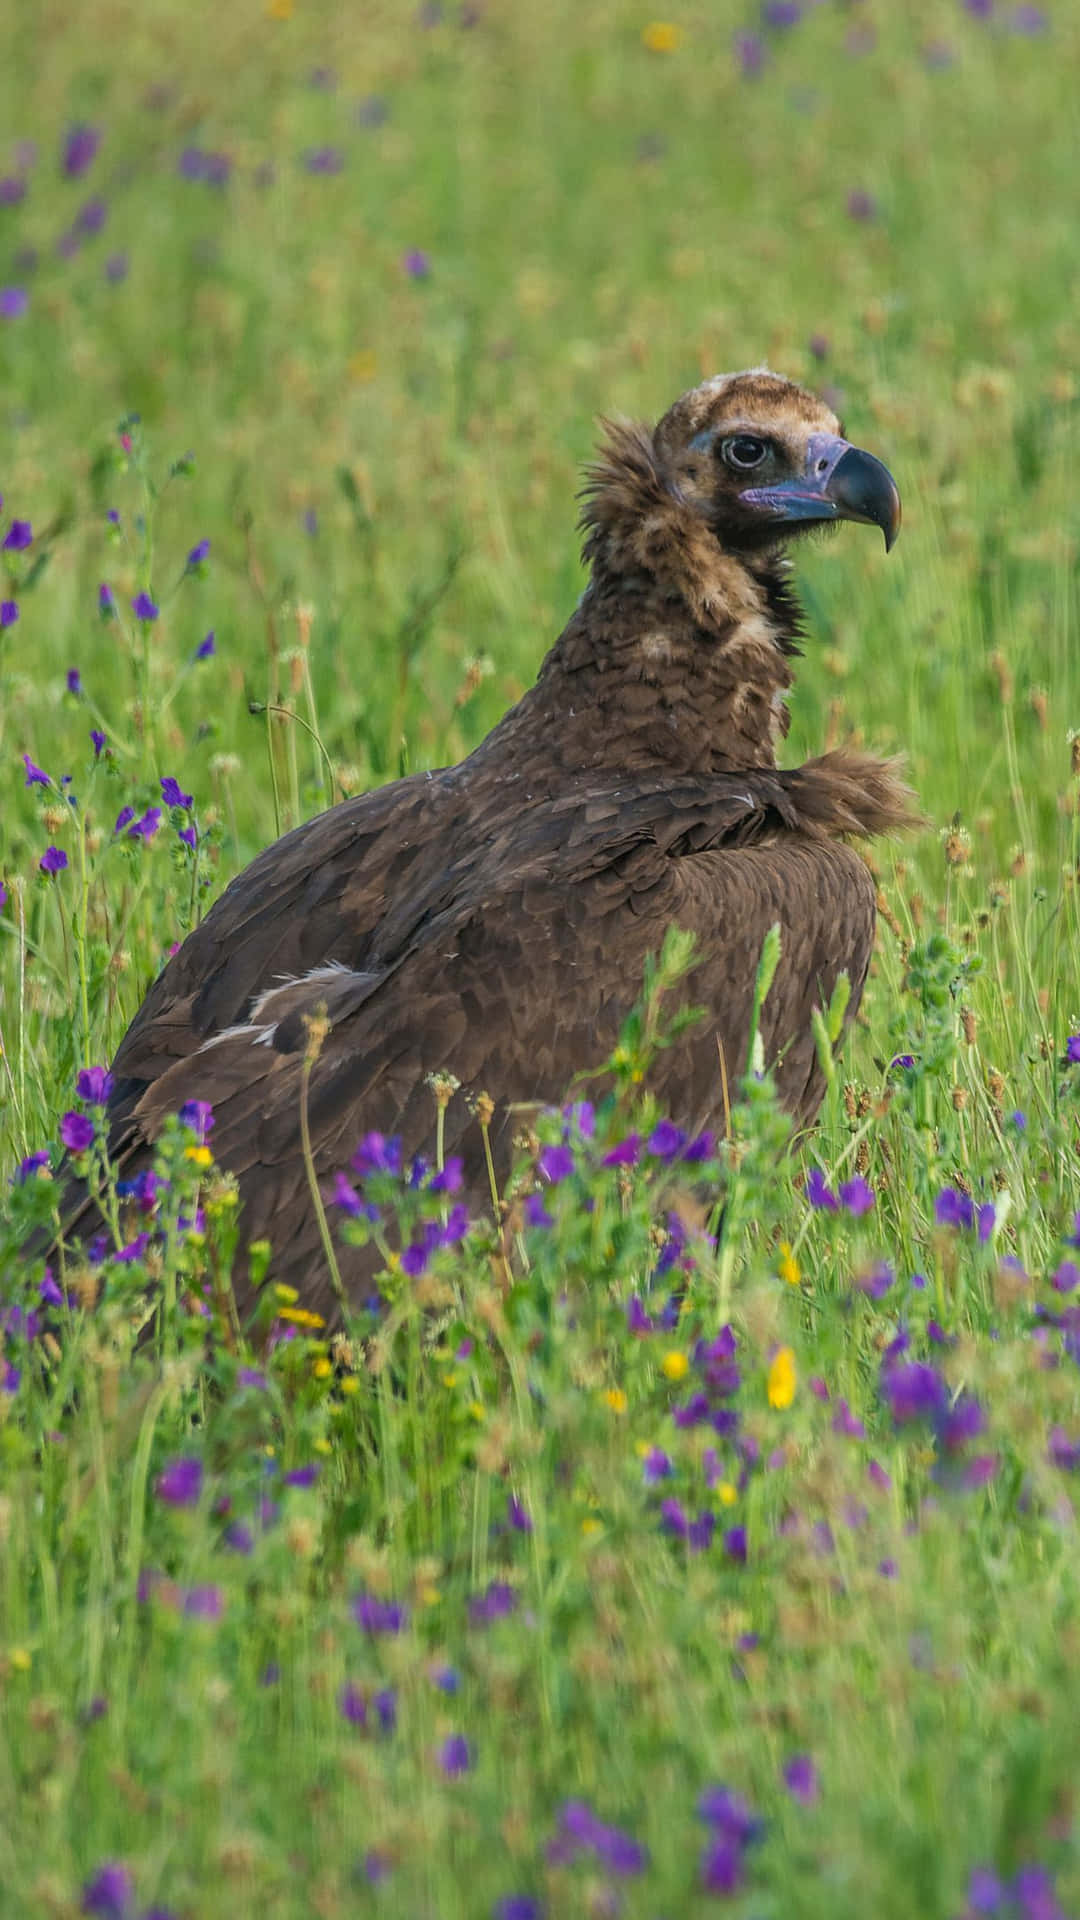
[{"x": 658, "y": 1556}]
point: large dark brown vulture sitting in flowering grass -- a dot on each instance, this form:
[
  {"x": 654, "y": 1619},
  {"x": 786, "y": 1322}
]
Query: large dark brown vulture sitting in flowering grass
[{"x": 493, "y": 921}]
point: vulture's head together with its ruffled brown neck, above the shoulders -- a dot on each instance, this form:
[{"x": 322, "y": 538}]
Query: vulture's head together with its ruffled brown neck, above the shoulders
[{"x": 679, "y": 652}]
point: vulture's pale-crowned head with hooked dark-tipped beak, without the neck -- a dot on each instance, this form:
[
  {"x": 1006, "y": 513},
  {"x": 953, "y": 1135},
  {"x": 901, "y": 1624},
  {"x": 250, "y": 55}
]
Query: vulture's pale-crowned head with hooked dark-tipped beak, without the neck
[{"x": 762, "y": 460}]
